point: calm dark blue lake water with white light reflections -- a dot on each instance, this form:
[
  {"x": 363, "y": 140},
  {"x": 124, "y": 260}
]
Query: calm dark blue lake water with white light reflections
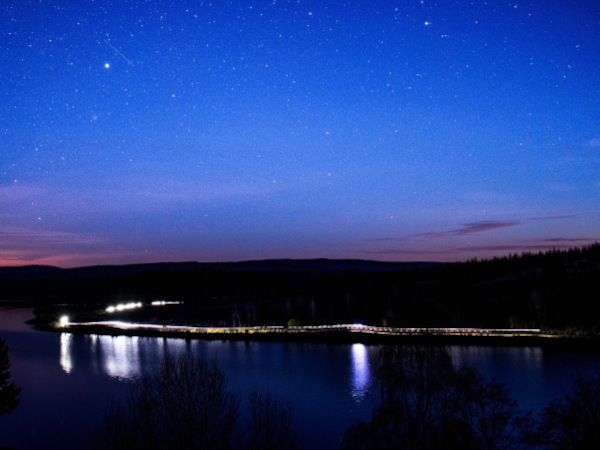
[{"x": 68, "y": 380}]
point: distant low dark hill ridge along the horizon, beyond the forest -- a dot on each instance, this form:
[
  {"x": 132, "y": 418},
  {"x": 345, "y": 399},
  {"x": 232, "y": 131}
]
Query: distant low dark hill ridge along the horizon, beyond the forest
[{"x": 29, "y": 273}]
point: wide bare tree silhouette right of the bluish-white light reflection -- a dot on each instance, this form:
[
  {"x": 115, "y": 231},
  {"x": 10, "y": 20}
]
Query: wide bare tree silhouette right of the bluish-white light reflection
[{"x": 427, "y": 403}]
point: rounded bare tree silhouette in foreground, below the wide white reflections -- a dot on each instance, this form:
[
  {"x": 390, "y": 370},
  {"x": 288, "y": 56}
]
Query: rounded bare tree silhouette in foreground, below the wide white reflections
[{"x": 184, "y": 405}]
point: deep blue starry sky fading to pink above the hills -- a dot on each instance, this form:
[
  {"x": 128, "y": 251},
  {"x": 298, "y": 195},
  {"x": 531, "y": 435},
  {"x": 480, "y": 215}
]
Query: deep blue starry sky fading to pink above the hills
[{"x": 146, "y": 131}]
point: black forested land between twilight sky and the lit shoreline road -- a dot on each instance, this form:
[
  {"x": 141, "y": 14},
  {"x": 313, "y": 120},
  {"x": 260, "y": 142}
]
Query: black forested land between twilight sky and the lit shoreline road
[{"x": 554, "y": 290}]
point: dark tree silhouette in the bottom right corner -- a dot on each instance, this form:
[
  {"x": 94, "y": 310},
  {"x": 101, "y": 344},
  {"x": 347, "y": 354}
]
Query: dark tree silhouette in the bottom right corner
[{"x": 573, "y": 422}]
